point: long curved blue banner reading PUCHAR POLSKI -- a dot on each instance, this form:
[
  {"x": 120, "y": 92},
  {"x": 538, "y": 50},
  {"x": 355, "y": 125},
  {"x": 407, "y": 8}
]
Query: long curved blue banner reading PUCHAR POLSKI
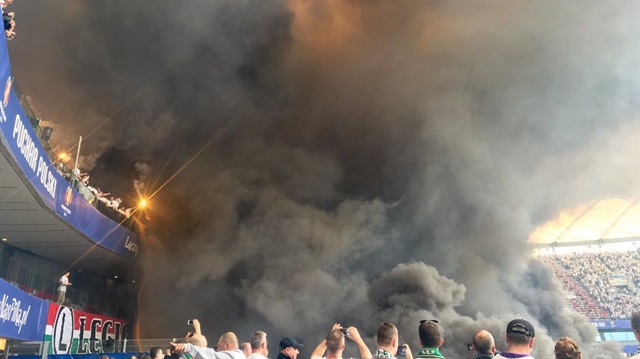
[{"x": 19, "y": 137}]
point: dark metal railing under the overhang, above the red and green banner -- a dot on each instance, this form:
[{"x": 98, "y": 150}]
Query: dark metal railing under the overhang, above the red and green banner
[{"x": 47, "y": 288}]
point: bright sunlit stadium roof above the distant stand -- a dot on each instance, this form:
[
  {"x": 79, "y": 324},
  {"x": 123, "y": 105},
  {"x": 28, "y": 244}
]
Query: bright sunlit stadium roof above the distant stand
[{"x": 612, "y": 218}]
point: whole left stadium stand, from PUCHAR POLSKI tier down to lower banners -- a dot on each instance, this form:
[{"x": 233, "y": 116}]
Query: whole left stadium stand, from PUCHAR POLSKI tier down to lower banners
[{"x": 48, "y": 226}]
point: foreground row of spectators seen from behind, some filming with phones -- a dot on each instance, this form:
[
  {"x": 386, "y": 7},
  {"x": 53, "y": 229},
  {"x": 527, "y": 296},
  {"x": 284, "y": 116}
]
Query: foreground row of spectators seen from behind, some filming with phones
[{"x": 520, "y": 341}]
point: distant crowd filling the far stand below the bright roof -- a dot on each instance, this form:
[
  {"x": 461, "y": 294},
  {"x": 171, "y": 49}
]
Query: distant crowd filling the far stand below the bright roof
[{"x": 610, "y": 279}]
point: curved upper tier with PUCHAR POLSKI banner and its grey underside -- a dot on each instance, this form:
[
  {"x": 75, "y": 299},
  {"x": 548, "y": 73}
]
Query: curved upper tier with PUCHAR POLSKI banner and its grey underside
[{"x": 40, "y": 211}]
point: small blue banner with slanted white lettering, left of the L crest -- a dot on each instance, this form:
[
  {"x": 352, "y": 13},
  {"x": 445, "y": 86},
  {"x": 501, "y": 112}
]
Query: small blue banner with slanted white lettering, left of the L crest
[{"x": 22, "y": 316}]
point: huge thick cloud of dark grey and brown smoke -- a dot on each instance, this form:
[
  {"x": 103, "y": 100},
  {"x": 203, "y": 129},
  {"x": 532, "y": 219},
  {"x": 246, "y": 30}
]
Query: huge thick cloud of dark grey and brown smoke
[{"x": 361, "y": 161}]
